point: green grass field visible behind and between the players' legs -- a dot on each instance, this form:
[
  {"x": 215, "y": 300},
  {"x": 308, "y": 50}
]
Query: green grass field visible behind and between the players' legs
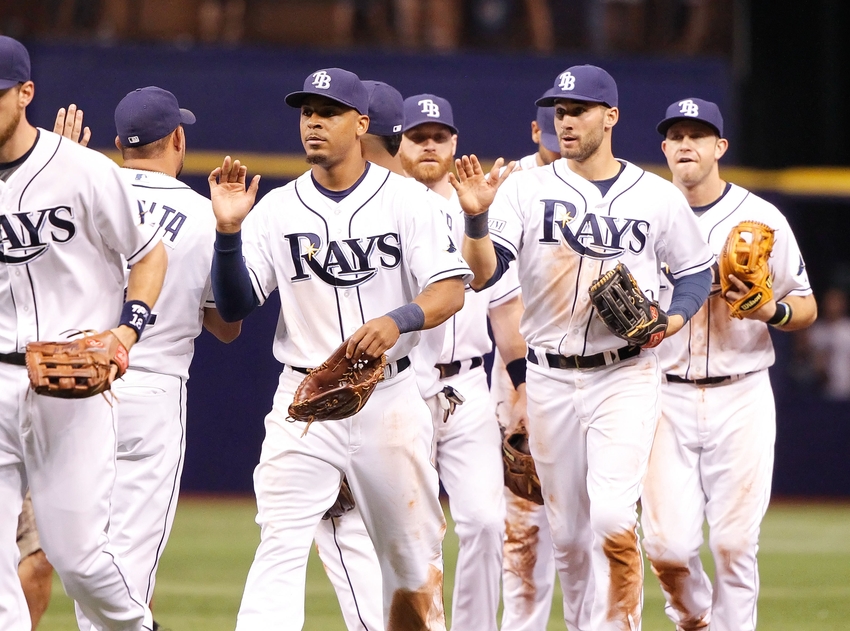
[{"x": 804, "y": 560}]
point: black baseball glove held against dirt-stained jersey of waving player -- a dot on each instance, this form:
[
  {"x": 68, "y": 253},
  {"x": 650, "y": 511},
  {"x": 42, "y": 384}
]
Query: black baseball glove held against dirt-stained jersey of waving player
[{"x": 625, "y": 310}]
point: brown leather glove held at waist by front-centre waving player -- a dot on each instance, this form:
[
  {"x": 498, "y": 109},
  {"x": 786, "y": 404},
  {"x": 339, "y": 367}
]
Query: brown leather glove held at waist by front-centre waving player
[{"x": 337, "y": 389}]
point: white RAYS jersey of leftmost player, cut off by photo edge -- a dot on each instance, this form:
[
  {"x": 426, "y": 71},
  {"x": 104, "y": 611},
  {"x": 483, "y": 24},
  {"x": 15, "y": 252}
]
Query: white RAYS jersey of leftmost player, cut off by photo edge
[{"x": 52, "y": 238}]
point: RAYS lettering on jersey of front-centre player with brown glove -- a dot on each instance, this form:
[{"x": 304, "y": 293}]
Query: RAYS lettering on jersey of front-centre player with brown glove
[{"x": 343, "y": 263}]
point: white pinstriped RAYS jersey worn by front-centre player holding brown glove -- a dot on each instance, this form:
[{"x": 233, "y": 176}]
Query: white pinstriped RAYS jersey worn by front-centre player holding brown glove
[{"x": 340, "y": 264}]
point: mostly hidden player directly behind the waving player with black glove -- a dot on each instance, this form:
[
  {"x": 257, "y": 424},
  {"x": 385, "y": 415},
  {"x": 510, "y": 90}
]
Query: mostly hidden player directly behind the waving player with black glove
[{"x": 528, "y": 565}]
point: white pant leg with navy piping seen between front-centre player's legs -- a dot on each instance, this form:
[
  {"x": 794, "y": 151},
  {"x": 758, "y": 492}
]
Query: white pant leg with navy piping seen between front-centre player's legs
[{"x": 352, "y": 566}]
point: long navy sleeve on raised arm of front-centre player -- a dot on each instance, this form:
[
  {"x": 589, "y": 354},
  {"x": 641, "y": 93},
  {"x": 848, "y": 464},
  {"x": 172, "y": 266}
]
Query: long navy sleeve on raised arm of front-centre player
[{"x": 234, "y": 294}]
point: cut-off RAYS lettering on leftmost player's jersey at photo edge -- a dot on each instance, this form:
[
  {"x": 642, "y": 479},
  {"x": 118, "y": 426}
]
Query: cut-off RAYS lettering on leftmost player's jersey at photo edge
[{"x": 27, "y": 235}]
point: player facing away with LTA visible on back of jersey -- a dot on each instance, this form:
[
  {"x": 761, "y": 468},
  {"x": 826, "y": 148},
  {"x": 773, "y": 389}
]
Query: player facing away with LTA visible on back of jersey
[{"x": 152, "y": 394}]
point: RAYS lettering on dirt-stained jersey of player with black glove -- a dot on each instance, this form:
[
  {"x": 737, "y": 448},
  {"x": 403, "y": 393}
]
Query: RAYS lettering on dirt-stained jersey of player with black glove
[{"x": 594, "y": 236}]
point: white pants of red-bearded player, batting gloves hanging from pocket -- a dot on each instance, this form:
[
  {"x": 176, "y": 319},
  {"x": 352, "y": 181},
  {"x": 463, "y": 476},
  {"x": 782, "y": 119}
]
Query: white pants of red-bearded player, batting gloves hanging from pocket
[{"x": 468, "y": 456}]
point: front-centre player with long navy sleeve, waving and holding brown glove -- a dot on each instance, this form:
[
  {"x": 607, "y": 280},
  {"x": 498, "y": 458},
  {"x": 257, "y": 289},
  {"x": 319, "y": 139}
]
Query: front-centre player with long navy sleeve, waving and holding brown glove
[{"x": 357, "y": 262}]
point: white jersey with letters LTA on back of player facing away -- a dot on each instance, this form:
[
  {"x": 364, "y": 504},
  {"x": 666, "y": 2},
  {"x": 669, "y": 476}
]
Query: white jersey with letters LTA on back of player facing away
[{"x": 187, "y": 226}]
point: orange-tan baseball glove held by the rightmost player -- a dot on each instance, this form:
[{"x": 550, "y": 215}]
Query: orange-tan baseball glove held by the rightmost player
[{"x": 745, "y": 255}]
